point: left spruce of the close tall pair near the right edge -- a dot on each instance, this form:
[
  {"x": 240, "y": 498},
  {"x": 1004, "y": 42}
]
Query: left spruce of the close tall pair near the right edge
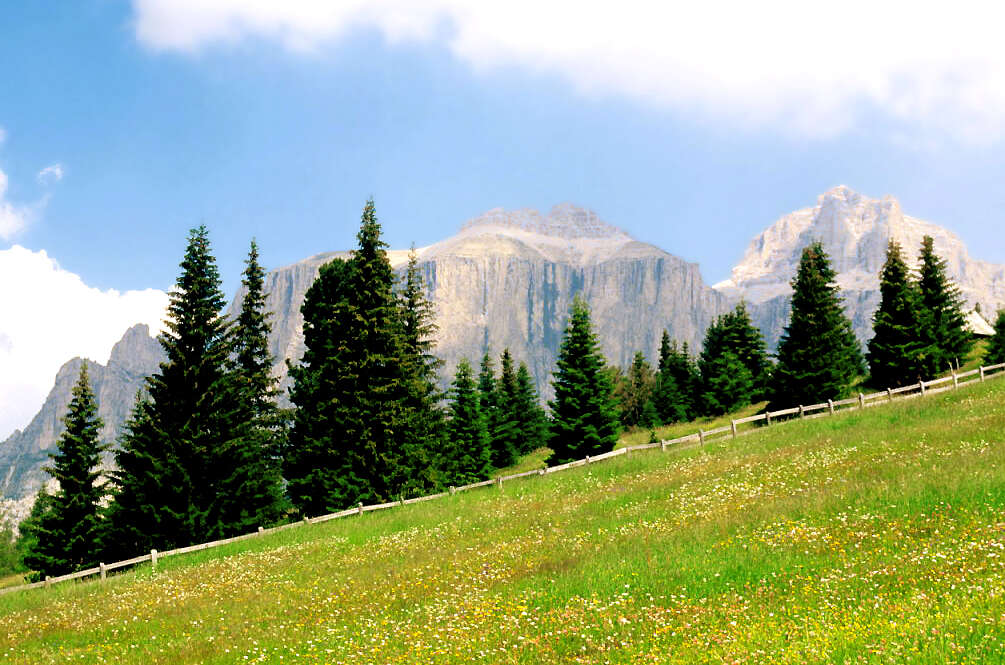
[{"x": 895, "y": 348}]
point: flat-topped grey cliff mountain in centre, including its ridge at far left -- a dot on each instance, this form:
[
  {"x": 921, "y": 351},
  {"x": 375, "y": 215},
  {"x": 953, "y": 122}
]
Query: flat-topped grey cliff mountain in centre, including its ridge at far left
[{"x": 506, "y": 280}]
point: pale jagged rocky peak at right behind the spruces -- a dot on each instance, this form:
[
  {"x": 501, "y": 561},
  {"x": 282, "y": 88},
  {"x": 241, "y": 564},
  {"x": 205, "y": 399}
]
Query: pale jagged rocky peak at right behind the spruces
[{"x": 855, "y": 231}]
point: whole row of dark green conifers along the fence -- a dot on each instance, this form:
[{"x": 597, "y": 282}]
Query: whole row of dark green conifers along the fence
[{"x": 208, "y": 454}]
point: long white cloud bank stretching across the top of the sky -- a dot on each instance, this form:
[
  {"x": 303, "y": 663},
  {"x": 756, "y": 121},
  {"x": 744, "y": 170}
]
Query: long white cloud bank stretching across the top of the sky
[{"x": 800, "y": 68}]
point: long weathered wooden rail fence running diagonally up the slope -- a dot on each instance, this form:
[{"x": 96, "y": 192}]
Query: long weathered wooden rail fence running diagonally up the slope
[{"x": 829, "y": 408}]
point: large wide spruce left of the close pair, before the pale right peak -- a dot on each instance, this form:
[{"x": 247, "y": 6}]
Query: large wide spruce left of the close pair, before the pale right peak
[{"x": 819, "y": 355}]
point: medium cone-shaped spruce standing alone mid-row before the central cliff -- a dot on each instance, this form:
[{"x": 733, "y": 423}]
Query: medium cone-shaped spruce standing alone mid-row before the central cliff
[{"x": 584, "y": 414}]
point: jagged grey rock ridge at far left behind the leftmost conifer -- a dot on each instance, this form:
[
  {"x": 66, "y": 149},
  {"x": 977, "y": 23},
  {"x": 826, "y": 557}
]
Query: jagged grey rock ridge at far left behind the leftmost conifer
[{"x": 25, "y": 454}]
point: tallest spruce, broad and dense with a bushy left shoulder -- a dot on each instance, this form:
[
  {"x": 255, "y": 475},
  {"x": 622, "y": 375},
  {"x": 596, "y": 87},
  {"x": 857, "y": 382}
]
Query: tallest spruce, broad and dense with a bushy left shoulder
[{"x": 348, "y": 440}]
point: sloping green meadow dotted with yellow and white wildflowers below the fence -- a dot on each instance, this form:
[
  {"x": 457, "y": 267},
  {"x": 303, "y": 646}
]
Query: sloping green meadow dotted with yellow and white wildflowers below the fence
[{"x": 875, "y": 537}]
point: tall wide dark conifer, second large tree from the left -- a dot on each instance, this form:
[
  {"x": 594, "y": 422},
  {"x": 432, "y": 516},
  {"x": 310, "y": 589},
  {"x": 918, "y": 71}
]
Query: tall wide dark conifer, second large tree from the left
[{"x": 180, "y": 477}]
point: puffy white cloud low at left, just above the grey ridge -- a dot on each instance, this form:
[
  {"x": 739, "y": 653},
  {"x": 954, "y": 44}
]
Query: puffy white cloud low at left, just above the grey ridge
[{"x": 49, "y": 316}]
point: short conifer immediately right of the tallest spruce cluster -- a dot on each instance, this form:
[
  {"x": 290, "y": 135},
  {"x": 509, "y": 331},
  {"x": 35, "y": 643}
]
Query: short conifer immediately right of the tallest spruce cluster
[{"x": 466, "y": 457}]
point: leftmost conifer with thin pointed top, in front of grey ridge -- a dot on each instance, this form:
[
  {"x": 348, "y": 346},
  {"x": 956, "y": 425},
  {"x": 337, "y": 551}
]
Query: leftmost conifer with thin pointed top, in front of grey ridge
[{"x": 64, "y": 535}]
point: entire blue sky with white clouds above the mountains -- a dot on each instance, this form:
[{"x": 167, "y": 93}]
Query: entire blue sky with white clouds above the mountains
[{"x": 692, "y": 126}]
